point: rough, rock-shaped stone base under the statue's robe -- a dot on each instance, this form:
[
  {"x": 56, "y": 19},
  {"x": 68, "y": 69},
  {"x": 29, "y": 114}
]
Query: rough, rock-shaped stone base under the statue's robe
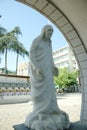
[{"x": 54, "y": 121}]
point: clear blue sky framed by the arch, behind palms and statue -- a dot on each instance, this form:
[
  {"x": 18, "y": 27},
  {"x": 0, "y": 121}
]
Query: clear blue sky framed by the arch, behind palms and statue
[{"x": 30, "y": 22}]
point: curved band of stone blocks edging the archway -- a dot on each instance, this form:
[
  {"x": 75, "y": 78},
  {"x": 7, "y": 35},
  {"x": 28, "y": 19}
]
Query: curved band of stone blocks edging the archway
[{"x": 54, "y": 14}]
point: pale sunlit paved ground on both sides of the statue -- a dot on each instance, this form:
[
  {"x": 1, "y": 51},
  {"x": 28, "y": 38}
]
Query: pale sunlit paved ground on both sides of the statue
[{"x": 12, "y": 114}]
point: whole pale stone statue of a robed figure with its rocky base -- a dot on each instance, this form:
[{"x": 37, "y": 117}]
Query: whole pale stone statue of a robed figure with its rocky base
[{"x": 46, "y": 114}]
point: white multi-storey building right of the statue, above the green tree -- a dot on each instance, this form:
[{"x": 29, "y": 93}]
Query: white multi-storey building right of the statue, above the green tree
[{"x": 64, "y": 57}]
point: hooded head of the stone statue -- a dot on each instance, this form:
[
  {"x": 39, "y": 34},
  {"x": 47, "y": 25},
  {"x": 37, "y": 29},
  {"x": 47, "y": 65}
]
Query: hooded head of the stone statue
[{"x": 47, "y": 31}]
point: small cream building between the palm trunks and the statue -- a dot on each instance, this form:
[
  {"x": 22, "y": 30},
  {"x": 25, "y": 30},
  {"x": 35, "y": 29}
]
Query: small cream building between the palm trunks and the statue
[{"x": 23, "y": 69}]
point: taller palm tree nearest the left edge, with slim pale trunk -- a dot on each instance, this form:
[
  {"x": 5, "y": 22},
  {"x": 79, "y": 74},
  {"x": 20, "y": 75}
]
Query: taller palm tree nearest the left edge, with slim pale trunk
[{"x": 6, "y": 40}]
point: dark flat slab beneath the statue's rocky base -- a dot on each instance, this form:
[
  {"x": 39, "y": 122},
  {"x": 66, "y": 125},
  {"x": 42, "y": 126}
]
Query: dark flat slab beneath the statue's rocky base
[{"x": 73, "y": 126}]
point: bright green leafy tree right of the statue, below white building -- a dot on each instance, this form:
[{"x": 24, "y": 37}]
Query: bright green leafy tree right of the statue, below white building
[{"x": 66, "y": 78}]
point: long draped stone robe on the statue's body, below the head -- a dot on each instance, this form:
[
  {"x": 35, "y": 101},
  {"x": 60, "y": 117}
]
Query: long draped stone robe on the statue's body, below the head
[{"x": 42, "y": 85}]
